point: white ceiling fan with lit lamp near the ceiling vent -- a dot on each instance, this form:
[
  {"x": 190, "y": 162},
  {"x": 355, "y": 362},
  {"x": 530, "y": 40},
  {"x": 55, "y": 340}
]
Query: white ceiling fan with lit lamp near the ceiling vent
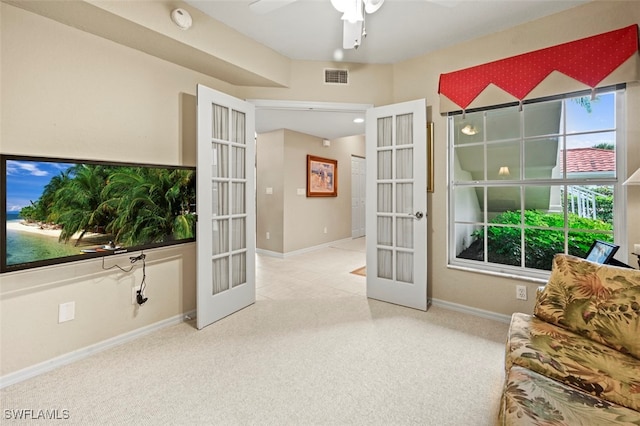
[{"x": 353, "y": 16}]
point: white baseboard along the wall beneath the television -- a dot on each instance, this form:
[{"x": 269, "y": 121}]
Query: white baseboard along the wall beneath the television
[{"x": 52, "y": 364}]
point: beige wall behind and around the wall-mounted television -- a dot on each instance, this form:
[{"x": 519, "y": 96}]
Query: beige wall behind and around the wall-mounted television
[{"x": 66, "y": 93}]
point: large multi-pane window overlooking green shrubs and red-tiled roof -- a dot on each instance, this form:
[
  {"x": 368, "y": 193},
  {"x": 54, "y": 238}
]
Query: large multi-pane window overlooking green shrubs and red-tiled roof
[{"x": 530, "y": 181}]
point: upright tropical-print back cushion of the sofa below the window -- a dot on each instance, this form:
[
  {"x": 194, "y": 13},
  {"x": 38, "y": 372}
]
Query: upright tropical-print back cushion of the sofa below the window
[{"x": 601, "y": 302}]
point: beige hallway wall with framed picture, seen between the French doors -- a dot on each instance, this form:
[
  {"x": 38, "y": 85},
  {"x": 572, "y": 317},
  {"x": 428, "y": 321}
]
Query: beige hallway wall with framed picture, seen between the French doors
[{"x": 296, "y": 222}]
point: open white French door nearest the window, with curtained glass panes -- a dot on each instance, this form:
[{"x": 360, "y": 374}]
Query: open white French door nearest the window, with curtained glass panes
[{"x": 397, "y": 204}]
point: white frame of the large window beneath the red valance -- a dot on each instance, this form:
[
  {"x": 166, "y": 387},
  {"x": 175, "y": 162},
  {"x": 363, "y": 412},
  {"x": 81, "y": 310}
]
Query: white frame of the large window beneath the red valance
[{"x": 620, "y": 194}]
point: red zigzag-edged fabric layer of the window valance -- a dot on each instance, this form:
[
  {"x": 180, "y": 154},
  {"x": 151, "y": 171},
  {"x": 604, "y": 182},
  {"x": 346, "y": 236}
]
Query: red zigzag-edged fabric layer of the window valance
[{"x": 588, "y": 60}]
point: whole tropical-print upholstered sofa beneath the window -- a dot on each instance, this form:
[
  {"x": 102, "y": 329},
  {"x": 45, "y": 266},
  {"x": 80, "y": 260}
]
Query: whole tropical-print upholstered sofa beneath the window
[{"x": 576, "y": 361}]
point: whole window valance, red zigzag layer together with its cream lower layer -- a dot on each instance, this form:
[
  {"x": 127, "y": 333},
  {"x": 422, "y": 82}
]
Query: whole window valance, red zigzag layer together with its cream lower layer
[{"x": 591, "y": 62}]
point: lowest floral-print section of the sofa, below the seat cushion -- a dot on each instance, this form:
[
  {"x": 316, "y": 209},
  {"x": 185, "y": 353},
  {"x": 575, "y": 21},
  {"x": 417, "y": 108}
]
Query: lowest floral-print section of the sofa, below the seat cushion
[{"x": 533, "y": 399}]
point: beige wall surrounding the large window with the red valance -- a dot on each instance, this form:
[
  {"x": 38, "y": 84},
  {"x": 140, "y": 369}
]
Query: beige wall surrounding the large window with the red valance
[{"x": 419, "y": 78}]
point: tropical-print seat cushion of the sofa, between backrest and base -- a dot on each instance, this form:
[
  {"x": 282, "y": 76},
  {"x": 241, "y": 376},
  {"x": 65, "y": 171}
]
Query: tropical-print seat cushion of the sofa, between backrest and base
[{"x": 574, "y": 360}]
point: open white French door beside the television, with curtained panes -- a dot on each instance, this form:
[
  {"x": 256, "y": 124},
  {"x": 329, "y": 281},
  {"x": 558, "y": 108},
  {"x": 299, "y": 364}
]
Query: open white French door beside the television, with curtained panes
[{"x": 226, "y": 205}]
